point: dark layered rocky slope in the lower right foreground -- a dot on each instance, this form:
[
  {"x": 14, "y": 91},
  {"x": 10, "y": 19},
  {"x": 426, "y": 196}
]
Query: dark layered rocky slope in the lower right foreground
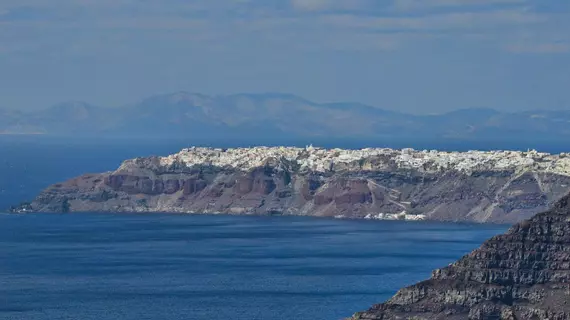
[{"x": 523, "y": 274}]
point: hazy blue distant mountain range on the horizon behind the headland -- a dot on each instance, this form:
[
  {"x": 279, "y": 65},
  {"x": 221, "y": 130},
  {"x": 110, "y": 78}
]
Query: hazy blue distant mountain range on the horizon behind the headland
[{"x": 270, "y": 115}]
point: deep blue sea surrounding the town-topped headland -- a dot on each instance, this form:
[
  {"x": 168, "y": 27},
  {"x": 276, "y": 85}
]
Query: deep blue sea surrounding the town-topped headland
[{"x": 173, "y": 266}]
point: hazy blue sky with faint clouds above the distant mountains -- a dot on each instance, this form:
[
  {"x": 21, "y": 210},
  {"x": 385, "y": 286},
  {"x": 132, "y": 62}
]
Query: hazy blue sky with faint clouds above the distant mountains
[{"x": 416, "y": 56}]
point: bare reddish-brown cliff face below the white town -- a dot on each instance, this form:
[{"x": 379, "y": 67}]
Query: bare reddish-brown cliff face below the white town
[{"x": 351, "y": 191}]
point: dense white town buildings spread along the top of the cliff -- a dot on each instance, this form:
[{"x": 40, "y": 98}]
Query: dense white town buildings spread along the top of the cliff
[{"x": 322, "y": 160}]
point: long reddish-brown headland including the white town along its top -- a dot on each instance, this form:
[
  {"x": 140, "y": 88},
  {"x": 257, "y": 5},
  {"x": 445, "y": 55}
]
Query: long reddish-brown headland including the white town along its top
[{"x": 496, "y": 186}]
